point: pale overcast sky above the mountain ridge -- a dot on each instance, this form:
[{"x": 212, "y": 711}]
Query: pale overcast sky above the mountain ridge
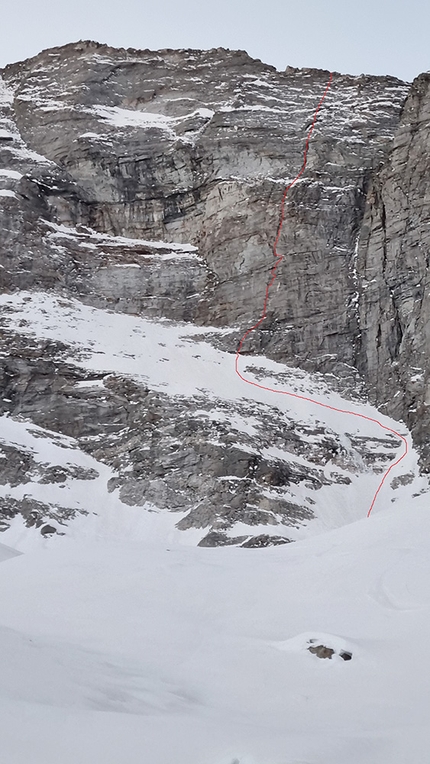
[{"x": 350, "y": 36}]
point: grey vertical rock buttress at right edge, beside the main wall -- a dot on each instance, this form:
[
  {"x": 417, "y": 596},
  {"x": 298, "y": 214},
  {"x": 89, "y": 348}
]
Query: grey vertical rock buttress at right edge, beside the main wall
[{"x": 393, "y": 264}]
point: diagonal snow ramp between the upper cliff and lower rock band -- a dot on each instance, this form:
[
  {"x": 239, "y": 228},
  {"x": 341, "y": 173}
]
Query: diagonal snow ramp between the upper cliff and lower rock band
[{"x": 179, "y": 359}]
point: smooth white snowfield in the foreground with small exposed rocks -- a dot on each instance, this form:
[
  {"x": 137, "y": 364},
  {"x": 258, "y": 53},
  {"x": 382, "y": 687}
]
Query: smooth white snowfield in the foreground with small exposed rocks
[{"x": 130, "y": 647}]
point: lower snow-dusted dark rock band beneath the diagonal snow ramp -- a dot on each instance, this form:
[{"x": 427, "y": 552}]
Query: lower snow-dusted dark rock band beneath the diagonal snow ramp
[{"x": 222, "y": 463}]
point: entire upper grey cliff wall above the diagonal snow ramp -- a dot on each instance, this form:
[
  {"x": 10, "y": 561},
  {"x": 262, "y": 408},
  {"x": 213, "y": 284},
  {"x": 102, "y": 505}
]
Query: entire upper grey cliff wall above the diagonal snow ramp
[{"x": 196, "y": 147}]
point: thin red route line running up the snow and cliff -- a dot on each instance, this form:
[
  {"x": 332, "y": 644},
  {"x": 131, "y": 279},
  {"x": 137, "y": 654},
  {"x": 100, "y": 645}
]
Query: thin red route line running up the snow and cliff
[{"x": 273, "y": 272}]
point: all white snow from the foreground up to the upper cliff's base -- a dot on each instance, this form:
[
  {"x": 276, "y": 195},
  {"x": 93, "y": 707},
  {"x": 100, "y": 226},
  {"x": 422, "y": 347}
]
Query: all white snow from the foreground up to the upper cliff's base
[{"x": 122, "y": 643}]
